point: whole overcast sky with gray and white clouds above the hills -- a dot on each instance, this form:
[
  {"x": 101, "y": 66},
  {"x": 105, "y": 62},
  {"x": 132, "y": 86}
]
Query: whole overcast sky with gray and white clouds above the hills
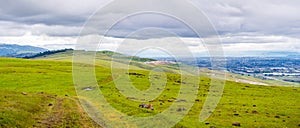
[{"x": 256, "y": 25}]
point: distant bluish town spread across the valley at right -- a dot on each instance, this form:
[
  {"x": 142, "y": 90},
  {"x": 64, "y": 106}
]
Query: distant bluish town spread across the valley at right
[{"x": 267, "y": 68}]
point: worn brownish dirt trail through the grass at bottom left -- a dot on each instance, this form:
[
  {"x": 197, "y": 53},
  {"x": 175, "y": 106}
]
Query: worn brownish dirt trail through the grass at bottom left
[{"x": 64, "y": 112}]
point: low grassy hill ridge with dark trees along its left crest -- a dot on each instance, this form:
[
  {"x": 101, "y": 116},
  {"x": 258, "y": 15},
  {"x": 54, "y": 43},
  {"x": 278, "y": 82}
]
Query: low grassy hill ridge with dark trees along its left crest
[{"x": 104, "y": 58}]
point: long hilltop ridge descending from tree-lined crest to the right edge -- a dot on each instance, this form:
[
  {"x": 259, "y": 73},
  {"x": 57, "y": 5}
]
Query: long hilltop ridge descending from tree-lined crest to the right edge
[{"x": 105, "y": 57}]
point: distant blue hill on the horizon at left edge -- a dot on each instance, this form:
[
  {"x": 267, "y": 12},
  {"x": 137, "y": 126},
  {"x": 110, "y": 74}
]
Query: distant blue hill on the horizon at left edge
[{"x": 19, "y": 51}]
